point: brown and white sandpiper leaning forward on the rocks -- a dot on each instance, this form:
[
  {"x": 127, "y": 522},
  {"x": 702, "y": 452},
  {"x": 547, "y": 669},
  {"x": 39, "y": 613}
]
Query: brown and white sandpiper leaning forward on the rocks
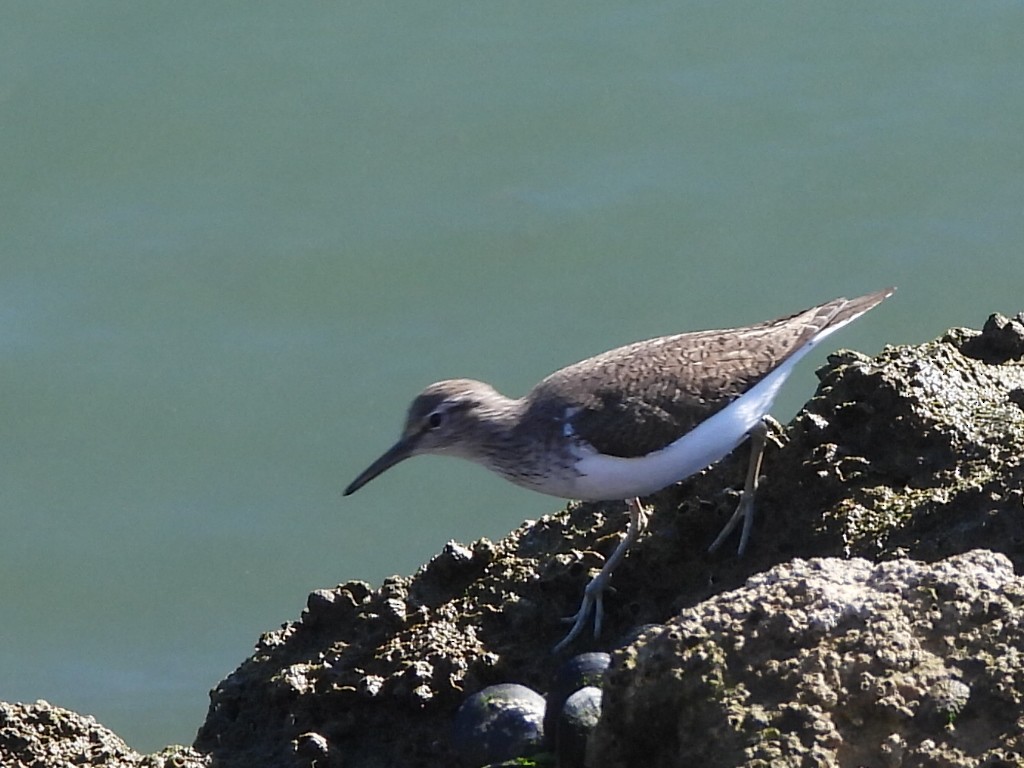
[{"x": 626, "y": 423}]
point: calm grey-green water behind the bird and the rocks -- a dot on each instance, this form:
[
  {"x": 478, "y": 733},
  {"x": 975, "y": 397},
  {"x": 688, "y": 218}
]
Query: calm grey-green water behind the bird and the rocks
[{"x": 237, "y": 238}]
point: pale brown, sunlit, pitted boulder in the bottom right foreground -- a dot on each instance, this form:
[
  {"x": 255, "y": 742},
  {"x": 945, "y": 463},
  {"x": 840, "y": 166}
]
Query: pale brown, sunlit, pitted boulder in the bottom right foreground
[{"x": 830, "y": 663}]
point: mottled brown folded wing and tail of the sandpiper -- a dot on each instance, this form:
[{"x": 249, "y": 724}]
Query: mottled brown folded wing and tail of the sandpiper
[{"x": 641, "y": 398}]
